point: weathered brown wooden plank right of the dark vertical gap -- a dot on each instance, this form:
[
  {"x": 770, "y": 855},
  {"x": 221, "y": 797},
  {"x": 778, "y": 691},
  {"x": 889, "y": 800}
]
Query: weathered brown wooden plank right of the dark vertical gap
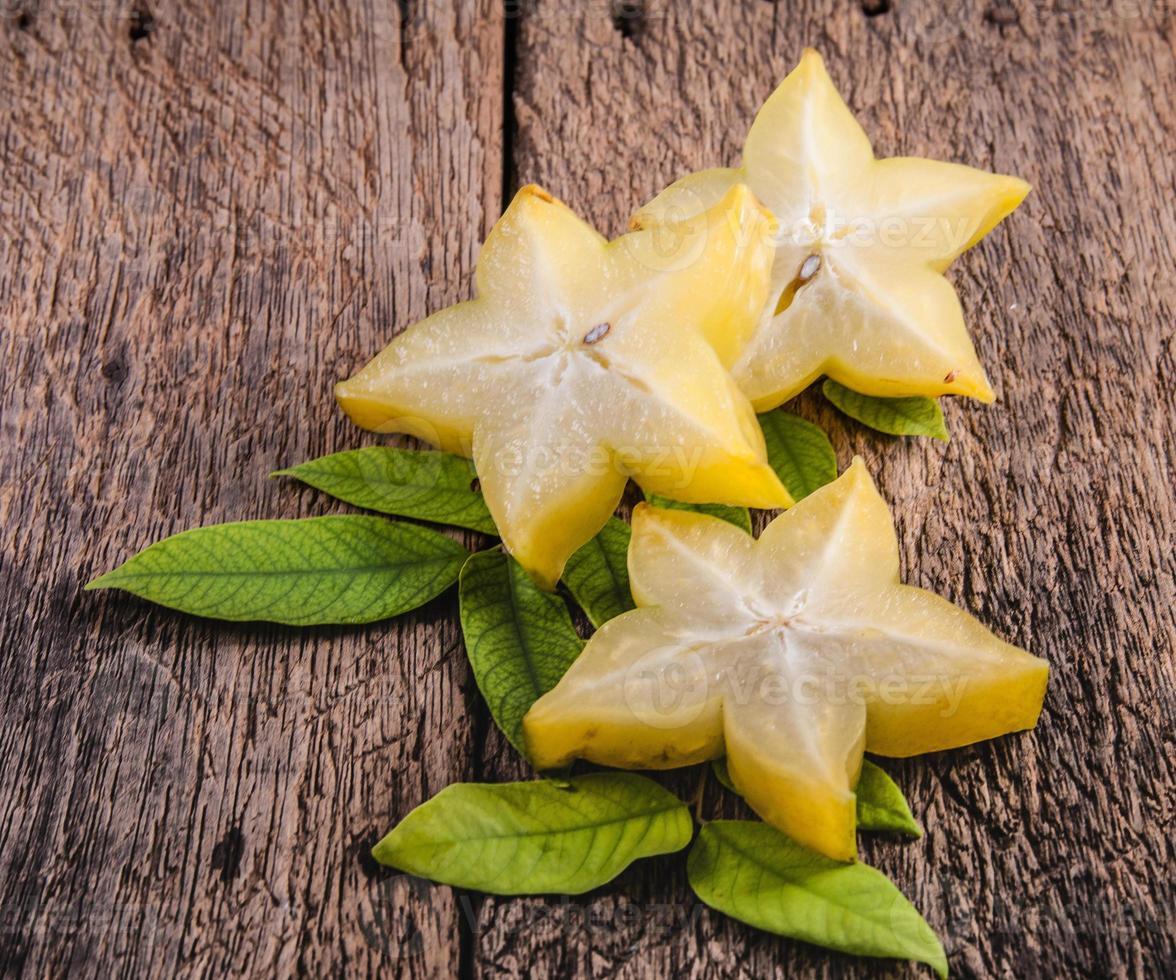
[{"x": 1050, "y": 515}]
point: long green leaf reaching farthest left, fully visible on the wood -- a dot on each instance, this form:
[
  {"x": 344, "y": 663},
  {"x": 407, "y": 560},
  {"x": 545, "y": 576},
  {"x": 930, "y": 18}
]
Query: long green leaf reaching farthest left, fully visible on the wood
[{"x": 339, "y": 570}]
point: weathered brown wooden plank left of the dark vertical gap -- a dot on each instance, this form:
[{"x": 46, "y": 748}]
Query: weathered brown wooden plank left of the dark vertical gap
[{"x": 209, "y": 214}]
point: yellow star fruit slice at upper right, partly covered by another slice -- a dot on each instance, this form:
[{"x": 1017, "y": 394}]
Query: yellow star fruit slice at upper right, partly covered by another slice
[{"x": 858, "y": 284}]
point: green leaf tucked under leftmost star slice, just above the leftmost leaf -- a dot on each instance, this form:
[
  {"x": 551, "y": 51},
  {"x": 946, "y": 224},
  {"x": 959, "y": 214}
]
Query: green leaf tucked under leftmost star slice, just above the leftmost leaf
[{"x": 426, "y": 485}]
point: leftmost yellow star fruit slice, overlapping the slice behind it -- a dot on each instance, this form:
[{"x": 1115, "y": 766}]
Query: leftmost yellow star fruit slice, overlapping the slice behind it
[{"x": 583, "y": 363}]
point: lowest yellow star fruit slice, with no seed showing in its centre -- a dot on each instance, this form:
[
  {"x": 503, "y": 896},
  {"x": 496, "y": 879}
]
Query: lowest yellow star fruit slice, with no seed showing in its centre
[{"x": 791, "y": 655}]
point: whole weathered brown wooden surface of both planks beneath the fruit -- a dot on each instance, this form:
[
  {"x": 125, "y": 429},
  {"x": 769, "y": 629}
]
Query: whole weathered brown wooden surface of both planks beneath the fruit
[{"x": 210, "y": 214}]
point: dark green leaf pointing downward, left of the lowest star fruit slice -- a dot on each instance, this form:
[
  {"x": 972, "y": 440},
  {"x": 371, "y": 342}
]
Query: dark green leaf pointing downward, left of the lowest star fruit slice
[{"x": 520, "y": 641}]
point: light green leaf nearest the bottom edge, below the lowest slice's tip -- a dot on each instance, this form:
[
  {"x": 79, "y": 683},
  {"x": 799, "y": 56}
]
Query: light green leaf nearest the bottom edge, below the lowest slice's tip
[{"x": 754, "y": 874}]
